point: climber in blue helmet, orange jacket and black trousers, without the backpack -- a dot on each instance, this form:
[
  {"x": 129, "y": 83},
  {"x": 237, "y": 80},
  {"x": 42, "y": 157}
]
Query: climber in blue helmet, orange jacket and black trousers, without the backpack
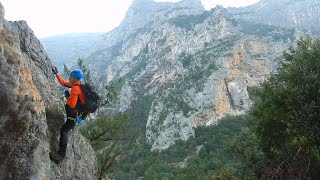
[{"x": 75, "y": 98}]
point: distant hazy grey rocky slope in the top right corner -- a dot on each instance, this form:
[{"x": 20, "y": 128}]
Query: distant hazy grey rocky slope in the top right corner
[{"x": 302, "y": 14}]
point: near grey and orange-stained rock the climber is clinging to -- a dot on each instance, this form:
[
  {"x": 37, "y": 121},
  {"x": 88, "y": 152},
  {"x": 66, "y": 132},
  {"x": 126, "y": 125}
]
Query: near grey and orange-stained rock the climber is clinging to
[{"x": 30, "y": 113}]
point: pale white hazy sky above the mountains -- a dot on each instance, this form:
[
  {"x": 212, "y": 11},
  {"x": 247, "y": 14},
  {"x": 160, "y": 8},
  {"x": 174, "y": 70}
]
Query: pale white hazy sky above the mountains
[{"x": 52, "y": 17}]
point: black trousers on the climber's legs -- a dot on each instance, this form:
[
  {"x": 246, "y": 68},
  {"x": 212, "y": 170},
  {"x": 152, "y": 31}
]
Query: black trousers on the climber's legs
[{"x": 67, "y": 126}]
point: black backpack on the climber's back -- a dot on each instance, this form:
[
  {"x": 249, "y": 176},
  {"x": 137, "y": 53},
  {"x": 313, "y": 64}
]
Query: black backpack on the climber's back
[{"x": 92, "y": 98}]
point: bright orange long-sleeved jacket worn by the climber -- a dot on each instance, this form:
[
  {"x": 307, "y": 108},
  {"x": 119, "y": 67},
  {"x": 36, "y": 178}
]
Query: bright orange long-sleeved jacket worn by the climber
[{"x": 75, "y": 93}]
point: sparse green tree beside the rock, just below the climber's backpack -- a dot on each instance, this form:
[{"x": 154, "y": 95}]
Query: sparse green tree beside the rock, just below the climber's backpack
[{"x": 111, "y": 138}]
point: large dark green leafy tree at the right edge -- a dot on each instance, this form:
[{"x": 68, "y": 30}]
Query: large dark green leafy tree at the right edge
[{"x": 285, "y": 116}]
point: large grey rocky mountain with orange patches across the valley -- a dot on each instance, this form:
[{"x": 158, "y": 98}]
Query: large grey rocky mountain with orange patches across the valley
[{"x": 178, "y": 66}]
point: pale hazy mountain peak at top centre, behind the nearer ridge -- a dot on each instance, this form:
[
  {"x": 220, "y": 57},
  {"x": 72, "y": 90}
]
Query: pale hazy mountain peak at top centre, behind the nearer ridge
[{"x": 143, "y": 13}]
